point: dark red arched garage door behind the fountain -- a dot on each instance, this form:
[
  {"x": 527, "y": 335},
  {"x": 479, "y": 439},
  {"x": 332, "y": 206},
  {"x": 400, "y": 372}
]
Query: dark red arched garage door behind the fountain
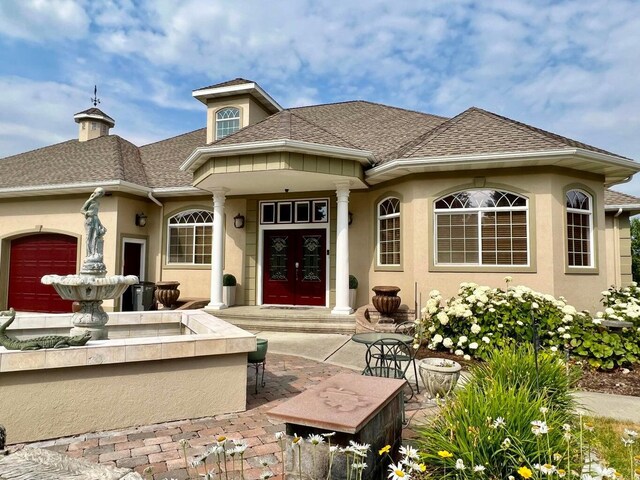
[{"x": 33, "y": 257}]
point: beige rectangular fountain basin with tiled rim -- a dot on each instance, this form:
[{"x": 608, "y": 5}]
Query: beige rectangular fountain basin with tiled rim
[{"x": 156, "y": 367}]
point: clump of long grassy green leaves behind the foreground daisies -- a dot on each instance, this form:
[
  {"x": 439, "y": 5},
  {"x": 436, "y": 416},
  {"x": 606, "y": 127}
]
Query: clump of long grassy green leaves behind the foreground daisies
[{"x": 498, "y": 404}]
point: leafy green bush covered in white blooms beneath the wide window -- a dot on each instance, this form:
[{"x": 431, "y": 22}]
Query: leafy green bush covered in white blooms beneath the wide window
[{"x": 480, "y": 319}]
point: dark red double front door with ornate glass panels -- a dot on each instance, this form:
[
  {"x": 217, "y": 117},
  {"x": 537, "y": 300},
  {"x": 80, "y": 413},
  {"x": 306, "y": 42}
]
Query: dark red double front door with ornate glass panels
[{"x": 294, "y": 267}]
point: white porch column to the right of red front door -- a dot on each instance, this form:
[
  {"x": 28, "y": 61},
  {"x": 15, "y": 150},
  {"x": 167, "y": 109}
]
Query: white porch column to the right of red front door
[{"x": 342, "y": 251}]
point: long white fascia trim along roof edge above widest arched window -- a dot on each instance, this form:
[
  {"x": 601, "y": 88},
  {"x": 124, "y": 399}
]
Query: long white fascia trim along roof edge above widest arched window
[{"x": 460, "y": 160}]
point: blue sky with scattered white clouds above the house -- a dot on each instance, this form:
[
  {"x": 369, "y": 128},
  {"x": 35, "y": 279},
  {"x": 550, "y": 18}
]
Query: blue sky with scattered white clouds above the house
[{"x": 572, "y": 67}]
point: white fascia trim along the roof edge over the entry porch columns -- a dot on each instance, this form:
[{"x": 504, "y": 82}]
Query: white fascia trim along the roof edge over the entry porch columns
[{"x": 201, "y": 154}]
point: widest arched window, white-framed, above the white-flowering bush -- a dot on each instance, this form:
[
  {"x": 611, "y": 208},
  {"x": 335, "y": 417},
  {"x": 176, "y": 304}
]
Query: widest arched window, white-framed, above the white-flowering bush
[{"x": 482, "y": 227}]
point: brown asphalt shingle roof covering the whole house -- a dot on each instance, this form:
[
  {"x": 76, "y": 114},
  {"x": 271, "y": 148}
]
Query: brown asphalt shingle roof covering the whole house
[{"x": 387, "y": 132}]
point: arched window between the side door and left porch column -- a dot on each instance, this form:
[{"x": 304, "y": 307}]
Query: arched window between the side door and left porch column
[{"x": 189, "y": 237}]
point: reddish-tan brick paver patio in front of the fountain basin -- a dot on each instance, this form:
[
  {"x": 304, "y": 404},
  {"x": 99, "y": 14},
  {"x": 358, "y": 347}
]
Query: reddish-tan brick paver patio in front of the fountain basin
[{"x": 158, "y": 445}]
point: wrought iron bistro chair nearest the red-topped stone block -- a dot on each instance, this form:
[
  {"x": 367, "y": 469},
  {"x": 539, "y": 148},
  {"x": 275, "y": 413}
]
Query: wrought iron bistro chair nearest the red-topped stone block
[{"x": 384, "y": 359}]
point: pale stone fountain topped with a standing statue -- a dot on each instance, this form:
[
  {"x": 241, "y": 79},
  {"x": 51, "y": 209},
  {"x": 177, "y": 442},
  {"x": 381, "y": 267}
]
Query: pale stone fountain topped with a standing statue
[{"x": 92, "y": 285}]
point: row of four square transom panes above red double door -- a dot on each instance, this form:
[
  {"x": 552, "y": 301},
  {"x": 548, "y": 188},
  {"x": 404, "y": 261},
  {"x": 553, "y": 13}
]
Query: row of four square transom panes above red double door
[{"x": 294, "y": 212}]
